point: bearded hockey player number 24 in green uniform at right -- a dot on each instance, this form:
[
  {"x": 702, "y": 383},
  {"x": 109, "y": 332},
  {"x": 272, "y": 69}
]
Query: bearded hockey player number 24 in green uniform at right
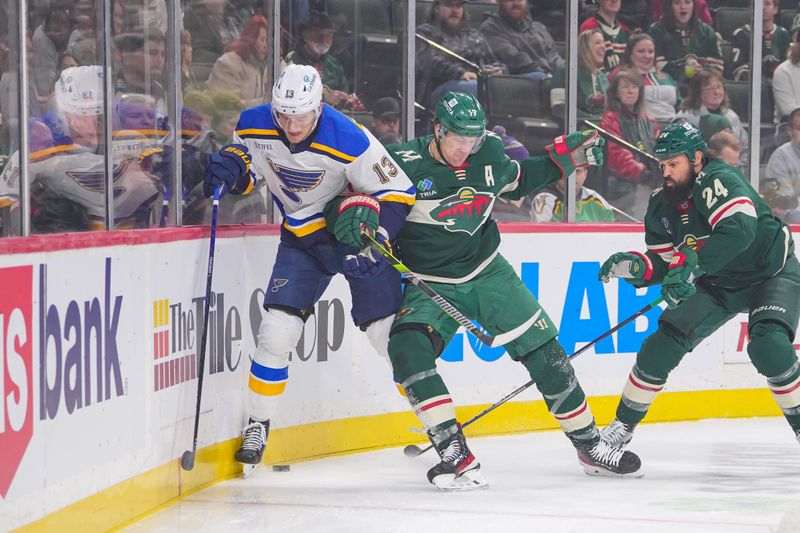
[{"x": 717, "y": 251}]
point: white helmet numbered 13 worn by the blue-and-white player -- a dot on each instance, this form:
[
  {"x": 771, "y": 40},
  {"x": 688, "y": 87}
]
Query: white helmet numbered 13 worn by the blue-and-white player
[{"x": 297, "y": 90}]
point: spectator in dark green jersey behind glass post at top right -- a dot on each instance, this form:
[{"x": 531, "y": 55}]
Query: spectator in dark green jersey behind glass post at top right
[{"x": 775, "y": 42}]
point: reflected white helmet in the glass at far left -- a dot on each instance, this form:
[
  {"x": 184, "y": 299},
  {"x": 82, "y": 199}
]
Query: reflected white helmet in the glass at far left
[{"x": 79, "y": 90}]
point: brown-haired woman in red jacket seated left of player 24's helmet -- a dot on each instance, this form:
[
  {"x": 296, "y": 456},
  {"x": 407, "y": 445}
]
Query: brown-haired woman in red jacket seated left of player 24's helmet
[{"x": 632, "y": 175}]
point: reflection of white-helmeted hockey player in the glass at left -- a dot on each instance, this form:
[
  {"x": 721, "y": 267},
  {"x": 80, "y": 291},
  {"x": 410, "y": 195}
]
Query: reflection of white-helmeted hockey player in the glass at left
[{"x": 67, "y": 165}]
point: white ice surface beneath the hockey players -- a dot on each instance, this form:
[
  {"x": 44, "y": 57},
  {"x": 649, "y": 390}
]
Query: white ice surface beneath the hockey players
[{"x": 714, "y": 475}]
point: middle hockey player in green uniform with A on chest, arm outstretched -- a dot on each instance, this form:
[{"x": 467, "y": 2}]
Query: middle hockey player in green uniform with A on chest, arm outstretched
[{"x": 450, "y": 241}]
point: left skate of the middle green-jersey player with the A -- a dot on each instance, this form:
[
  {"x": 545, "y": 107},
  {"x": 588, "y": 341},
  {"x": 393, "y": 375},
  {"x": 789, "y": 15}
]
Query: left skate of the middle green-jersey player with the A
[{"x": 458, "y": 469}]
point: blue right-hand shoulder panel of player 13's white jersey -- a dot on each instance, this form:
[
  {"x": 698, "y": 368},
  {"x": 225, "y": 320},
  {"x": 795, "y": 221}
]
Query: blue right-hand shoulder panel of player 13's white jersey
[{"x": 340, "y": 136}]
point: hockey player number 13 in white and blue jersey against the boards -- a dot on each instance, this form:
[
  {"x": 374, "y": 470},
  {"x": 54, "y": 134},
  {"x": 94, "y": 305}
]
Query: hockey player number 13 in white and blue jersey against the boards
[{"x": 310, "y": 154}]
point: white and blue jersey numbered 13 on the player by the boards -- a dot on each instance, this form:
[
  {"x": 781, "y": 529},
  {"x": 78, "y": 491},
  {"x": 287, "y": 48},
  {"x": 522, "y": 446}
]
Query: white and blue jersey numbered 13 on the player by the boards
[{"x": 339, "y": 155}]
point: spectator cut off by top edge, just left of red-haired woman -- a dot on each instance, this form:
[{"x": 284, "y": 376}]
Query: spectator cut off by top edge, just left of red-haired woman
[{"x": 213, "y": 28}]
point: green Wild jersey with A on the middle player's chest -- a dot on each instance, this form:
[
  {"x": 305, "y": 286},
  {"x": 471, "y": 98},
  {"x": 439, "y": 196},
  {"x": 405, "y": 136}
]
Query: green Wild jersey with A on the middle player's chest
[{"x": 449, "y": 236}]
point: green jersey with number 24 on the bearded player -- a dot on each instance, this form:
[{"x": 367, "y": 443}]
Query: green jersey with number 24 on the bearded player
[{"x": 738, "y": 240}]
